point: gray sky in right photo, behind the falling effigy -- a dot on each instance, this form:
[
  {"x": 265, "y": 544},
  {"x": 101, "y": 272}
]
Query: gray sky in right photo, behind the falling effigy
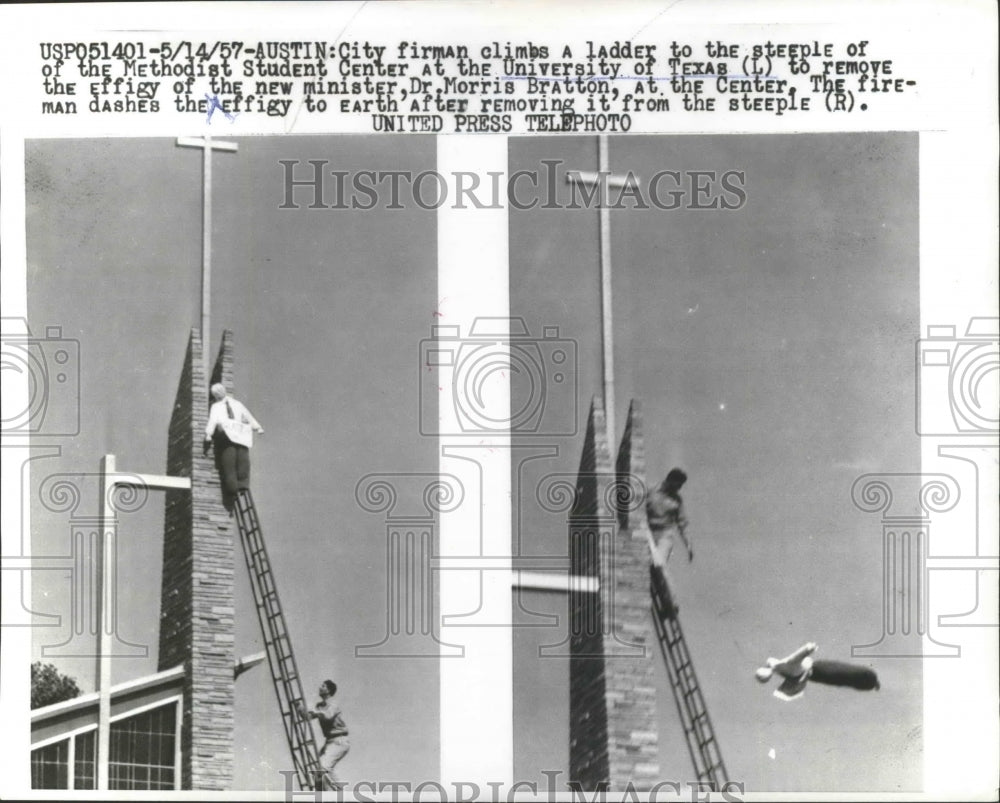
[{"x": 772, "y": 350}]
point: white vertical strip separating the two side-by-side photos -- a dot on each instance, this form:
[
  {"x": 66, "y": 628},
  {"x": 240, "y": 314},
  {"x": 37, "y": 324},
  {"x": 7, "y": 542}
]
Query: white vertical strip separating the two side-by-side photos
[{"x": 476, "y": 690}]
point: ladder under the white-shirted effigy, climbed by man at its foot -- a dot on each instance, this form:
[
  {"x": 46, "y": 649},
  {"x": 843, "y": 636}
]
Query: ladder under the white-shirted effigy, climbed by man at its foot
[{"x": 278, "y": 644}]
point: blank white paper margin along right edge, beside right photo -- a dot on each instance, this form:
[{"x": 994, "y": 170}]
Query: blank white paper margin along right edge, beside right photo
[{"x": 958, "y": 258}]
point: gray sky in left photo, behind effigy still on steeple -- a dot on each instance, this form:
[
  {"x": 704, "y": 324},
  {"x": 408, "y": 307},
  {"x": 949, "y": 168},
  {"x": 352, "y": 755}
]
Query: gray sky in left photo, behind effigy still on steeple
[{"x": 327, "y": 308}]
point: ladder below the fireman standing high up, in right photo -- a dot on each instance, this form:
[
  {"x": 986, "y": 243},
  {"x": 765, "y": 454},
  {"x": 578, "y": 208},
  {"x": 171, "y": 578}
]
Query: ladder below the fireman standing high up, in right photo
[{"x": 702, "y": 745}]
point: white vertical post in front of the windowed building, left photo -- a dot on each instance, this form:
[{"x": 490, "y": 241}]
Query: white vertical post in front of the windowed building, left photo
[{"x": 106, "y": 546}]
